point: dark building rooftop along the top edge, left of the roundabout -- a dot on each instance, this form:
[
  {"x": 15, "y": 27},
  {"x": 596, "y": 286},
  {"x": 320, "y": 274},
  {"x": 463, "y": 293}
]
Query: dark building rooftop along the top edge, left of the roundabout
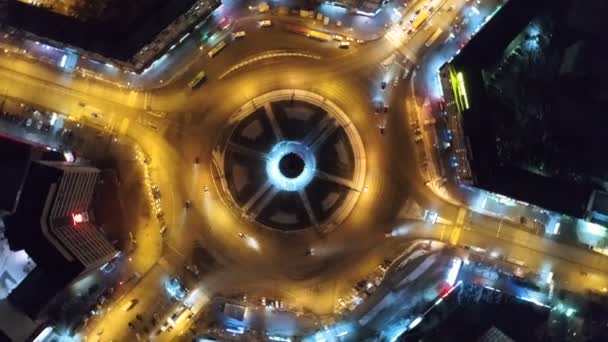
[{"x": 123, "y": 33}]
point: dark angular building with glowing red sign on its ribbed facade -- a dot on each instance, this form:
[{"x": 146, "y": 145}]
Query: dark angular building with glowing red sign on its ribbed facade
[{"x": 53, "y": 225}]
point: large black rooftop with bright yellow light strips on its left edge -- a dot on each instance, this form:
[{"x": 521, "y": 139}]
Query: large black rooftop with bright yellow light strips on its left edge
[{"x": 517, "y": 85}]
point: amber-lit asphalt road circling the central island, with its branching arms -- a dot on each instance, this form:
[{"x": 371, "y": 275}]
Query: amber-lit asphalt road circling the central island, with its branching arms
[{"x": 350, "y": 78}]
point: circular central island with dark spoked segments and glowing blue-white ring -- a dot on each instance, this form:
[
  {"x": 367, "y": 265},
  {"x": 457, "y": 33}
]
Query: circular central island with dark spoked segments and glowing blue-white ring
[{"x": 290, "y": 160}]
